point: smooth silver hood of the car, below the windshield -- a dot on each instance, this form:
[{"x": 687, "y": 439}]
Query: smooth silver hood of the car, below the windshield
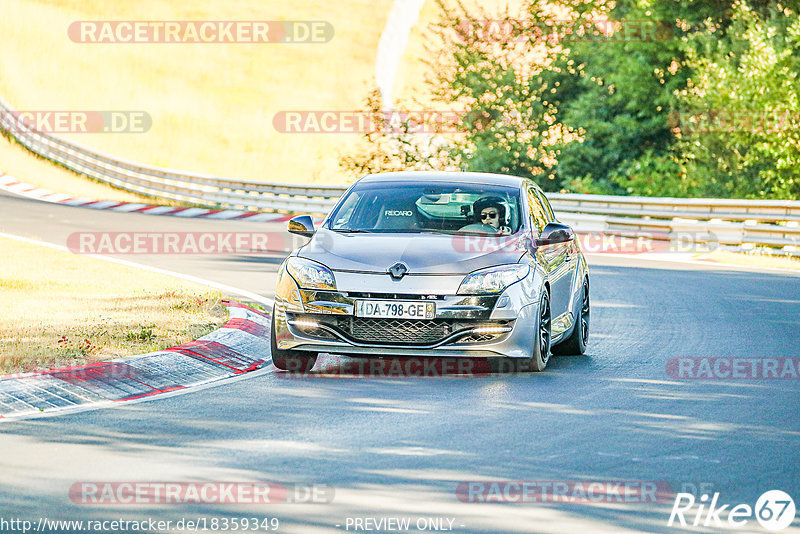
[{"x": 422, "y": 253}]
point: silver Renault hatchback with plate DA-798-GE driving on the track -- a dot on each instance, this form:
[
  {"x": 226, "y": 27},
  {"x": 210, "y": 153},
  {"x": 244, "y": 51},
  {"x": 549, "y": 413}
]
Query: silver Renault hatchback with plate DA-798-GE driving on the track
[{"x": 433, "y": 264}]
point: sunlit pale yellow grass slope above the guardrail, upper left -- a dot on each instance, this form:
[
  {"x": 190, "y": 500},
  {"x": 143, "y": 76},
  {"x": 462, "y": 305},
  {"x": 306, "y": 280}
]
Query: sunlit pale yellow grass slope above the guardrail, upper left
[{"x": 212, "y": 104}]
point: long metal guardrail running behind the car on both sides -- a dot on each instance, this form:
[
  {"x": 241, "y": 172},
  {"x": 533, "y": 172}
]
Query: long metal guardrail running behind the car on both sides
[{"x": 741, "y": 223}]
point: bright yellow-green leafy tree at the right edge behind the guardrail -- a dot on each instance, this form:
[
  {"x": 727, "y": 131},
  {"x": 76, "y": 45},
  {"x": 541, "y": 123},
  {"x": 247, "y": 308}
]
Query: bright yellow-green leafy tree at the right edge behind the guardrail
[{"x": 740, "y": 125}]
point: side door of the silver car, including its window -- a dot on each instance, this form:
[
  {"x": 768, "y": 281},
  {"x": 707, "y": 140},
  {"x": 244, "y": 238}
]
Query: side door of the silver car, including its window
[{"x": 554, "y": 260}]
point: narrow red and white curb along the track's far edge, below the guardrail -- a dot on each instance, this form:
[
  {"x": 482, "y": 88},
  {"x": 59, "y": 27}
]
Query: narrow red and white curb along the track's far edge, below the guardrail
[{"x": 12, "y": 185}]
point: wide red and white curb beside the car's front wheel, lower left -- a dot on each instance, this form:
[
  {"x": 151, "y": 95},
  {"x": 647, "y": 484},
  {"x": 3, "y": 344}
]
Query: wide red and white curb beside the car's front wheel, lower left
[{"x": 240, "y": 346}]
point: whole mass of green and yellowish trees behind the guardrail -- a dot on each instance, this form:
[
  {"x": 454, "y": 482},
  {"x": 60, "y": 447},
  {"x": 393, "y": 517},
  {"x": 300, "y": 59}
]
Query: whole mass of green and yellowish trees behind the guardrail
[{"x": 550, "y": 93}]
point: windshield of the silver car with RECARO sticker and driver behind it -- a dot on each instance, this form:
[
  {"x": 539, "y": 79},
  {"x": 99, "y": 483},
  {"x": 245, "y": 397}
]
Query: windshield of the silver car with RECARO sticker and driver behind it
[{"x": 439, "y": 207}]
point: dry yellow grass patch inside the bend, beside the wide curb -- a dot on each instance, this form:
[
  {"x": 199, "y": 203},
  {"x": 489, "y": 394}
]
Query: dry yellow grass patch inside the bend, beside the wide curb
[{"x": 60, "y": 309}]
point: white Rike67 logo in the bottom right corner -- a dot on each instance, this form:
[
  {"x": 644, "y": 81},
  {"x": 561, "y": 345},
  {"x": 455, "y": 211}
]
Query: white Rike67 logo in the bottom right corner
[{"x": 774, "y": 511}]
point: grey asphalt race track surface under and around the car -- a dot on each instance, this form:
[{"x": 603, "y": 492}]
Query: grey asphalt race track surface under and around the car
[{"x": 400, "y": 447}]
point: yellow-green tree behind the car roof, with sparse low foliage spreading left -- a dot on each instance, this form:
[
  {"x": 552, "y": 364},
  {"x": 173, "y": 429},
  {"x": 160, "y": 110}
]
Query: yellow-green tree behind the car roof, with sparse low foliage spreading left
[{"x": 491, "y": 81}]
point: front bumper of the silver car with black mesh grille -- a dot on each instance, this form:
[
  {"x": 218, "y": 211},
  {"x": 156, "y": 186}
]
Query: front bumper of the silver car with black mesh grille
[{"x": 464, "y": 326}]
